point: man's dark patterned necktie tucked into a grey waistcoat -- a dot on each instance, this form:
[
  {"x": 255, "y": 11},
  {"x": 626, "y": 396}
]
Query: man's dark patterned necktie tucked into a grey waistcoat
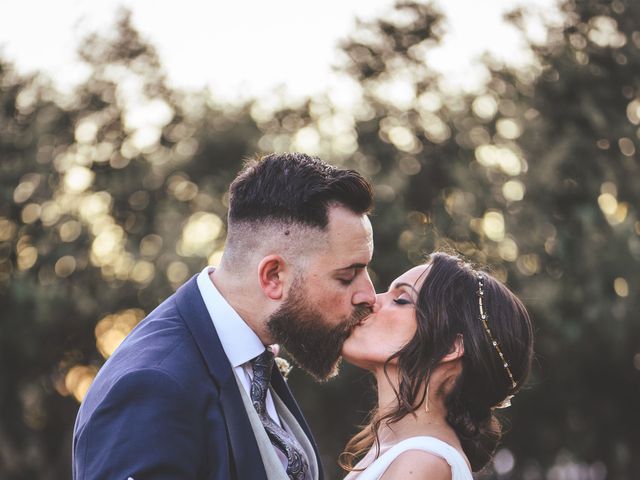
[{"x": 297, "y": 465}]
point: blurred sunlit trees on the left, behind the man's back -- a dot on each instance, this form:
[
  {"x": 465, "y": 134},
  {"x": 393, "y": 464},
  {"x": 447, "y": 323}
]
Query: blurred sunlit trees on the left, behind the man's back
[{"x": 112, "y": 196}]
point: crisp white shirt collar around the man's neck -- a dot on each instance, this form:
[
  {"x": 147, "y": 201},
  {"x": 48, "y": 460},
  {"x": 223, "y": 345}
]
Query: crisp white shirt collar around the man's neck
[{"x": 239, "y": 342}]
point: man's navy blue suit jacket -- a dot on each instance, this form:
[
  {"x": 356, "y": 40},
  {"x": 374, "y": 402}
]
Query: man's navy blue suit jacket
[{"x": 166, "y": 405}]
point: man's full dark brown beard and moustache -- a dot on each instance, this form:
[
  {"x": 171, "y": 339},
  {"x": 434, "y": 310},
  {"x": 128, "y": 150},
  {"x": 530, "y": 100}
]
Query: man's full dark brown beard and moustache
[{"x": 305, "y": 333}]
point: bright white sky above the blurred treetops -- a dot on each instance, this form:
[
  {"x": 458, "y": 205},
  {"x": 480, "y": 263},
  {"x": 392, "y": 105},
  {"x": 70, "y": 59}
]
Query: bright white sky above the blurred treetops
[{"x": 246, "y": 48}]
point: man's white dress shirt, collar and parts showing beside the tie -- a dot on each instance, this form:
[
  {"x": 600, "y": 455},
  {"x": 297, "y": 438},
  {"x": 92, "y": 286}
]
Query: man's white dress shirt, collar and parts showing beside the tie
[{"x": 239, "y": 342}]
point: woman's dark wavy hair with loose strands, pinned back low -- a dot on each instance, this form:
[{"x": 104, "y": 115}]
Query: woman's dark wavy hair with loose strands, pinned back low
[{"x": 447, "y": 305}]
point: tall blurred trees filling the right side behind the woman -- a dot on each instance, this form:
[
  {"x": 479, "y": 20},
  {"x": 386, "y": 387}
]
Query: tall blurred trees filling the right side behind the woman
[{"x": 536, "y": 176}]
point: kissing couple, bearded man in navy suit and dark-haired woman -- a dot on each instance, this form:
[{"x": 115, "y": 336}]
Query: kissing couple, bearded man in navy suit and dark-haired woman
[{"x": 191, "y": 393}]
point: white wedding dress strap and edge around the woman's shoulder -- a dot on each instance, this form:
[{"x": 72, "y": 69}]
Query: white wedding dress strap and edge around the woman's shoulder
[{"x": 459, "y": 468}]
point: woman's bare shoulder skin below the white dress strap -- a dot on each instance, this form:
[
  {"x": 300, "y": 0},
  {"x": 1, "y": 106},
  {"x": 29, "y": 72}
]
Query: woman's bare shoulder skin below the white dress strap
[{"x": 418, "y": 464}]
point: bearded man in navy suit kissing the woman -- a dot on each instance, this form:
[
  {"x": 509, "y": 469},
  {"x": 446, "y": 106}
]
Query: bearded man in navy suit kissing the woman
[{"x": 191, "y": 393}]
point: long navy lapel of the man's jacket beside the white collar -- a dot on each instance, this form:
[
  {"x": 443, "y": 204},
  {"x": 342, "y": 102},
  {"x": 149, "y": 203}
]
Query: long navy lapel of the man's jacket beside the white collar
[{"x": 239, "y": 433}]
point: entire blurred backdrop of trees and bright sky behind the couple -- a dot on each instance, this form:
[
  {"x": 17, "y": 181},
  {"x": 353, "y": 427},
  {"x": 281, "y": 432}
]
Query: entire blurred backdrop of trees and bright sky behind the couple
[{"x": 506, "y": 131}]
